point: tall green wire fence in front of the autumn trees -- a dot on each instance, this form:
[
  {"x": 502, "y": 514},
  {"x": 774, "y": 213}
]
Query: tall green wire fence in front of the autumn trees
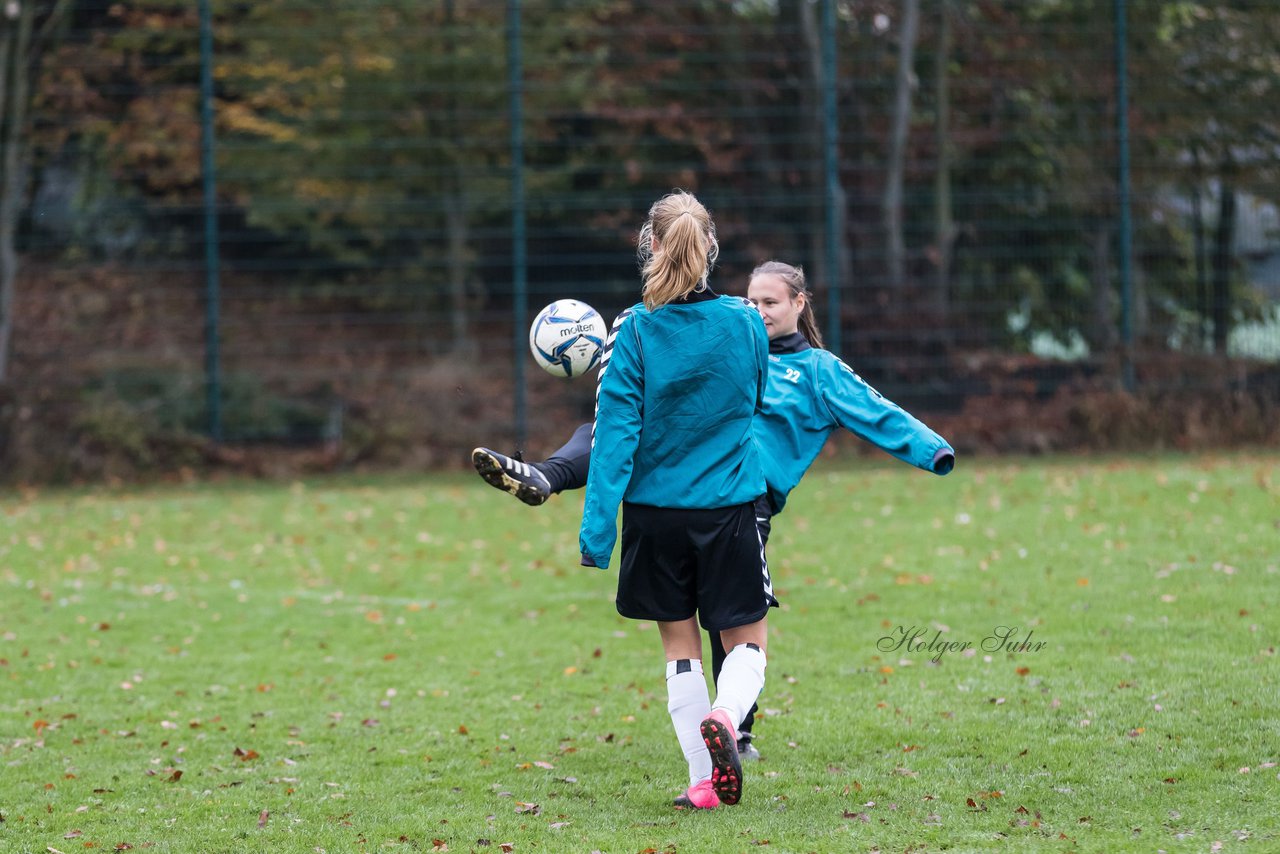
[{"x": 323, "y": 234}]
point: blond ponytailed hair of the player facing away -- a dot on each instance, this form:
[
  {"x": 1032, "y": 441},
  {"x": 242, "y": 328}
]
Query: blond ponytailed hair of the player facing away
[{"x": 688, "y": 249}]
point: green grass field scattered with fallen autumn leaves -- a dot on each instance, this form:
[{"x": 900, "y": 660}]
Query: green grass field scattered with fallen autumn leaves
[{"x": 420, "y": 665}]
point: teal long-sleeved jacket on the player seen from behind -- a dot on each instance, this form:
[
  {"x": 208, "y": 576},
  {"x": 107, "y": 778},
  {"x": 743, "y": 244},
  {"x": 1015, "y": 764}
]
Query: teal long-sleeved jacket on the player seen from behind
[{"x": 679, "y": 390}]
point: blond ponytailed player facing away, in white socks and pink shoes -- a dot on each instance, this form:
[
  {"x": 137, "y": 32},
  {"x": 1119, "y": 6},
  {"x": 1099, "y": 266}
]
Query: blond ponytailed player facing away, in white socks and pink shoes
[{"x": 682, "y": 381}]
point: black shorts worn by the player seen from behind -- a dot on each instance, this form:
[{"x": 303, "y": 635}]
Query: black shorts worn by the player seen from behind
[{"x": 679, "y": 563}]
